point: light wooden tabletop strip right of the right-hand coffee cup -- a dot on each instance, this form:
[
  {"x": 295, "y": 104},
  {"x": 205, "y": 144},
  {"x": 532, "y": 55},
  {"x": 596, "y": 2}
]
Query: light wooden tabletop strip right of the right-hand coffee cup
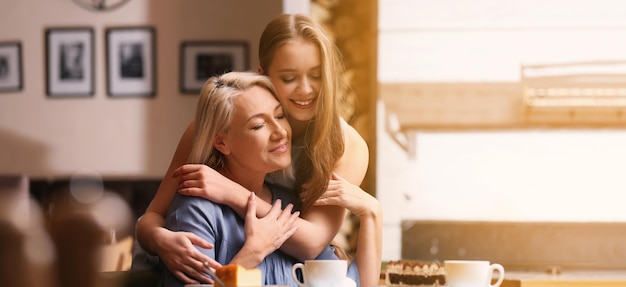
[{"x": 578, "y": 278}]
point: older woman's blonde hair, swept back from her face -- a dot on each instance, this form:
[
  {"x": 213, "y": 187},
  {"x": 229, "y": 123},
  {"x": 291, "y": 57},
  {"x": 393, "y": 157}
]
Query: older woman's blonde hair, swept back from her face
[{"x": 214, "y": 112}]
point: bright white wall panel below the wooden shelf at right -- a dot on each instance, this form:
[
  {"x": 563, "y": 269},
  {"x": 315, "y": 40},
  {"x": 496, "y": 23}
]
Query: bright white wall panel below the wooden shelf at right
[{"x": 532, "y": 175}]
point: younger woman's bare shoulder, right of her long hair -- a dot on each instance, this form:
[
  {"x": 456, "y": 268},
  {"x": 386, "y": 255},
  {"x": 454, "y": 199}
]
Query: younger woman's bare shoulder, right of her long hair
[{"x": 353, "y": 164}]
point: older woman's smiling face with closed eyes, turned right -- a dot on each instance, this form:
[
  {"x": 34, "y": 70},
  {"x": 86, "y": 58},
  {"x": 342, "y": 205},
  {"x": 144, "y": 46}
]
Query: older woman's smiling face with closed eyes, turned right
[{"x": 259, "y": 137}]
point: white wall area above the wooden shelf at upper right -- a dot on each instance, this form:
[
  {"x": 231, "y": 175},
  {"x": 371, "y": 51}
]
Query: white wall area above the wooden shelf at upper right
[{"x": 487, "y": 40}]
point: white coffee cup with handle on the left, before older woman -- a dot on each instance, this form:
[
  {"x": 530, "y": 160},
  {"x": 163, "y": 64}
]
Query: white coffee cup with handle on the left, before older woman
[{"x": 321, "y": 273}]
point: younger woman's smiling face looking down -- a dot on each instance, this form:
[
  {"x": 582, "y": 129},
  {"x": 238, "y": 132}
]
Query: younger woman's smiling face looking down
[{"x": 295, "y": 71}]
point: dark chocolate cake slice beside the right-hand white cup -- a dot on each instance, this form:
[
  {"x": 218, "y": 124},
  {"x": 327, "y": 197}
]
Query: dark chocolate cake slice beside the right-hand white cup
[{"x": 415, "y": 273}]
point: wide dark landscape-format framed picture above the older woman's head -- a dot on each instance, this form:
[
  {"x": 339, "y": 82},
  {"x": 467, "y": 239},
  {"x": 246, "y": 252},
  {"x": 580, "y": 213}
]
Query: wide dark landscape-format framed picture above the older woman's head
[{"x": 202, "y": 59}]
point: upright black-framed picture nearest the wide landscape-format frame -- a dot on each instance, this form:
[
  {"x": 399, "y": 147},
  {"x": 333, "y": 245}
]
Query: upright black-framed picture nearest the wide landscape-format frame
[{"x": 131, "y": 62}]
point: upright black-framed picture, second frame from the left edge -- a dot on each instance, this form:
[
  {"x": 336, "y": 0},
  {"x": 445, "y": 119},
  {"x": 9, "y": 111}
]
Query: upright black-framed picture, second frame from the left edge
[{"x": 69, "y": 62}]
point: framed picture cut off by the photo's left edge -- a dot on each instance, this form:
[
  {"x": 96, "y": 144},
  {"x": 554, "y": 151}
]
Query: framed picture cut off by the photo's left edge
[{"x": 10, "y": 66}]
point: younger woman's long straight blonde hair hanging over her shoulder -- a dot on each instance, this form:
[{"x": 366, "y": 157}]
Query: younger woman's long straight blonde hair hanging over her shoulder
[{"x": 325, "y": 142}]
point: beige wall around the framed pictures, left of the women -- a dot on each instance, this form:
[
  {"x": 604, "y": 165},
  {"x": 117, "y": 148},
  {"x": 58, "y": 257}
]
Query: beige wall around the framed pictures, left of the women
[{"x": 130, "y": 137}]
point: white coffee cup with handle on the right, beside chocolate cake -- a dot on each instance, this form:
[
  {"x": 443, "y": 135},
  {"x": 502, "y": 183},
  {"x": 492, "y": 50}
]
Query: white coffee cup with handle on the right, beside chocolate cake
[{"x": 472, "y": 273}]
